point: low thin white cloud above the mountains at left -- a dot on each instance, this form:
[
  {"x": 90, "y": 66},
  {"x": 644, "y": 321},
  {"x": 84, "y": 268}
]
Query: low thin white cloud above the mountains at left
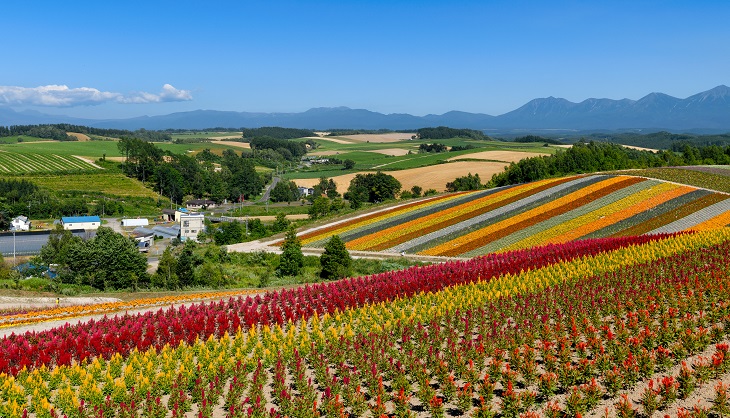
[{"x": 63, "y": 96}]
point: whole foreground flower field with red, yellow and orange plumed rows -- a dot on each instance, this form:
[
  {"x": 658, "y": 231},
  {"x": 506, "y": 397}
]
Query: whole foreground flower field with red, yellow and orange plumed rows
[{"x": 613, "y": 326}]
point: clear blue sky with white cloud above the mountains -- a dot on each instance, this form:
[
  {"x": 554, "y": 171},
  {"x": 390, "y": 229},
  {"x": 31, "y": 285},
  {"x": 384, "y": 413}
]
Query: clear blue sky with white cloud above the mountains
[{"x": 125, "y": 59}]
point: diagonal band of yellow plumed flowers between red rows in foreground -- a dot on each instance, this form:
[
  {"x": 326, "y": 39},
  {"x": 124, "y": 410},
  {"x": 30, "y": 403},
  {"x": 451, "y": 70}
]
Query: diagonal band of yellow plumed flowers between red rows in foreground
[{"x": 63, "y": 387}]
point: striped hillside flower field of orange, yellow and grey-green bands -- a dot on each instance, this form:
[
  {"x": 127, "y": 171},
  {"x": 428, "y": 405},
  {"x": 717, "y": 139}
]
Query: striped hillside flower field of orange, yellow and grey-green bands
[{"x": 539, "y": 213}]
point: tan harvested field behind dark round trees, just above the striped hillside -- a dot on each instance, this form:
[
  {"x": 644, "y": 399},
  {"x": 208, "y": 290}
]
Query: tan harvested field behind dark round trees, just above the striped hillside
[{"x": 431, "y": 177}]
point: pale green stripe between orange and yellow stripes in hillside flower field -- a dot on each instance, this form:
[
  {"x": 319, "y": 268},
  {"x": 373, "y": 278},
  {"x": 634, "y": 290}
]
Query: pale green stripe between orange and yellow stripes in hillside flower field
[{"x": 567, "y": 217}]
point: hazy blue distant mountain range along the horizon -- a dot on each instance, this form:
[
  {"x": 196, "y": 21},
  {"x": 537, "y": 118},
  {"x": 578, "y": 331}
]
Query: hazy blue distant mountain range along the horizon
[{"x": 703, "y": 112}]
